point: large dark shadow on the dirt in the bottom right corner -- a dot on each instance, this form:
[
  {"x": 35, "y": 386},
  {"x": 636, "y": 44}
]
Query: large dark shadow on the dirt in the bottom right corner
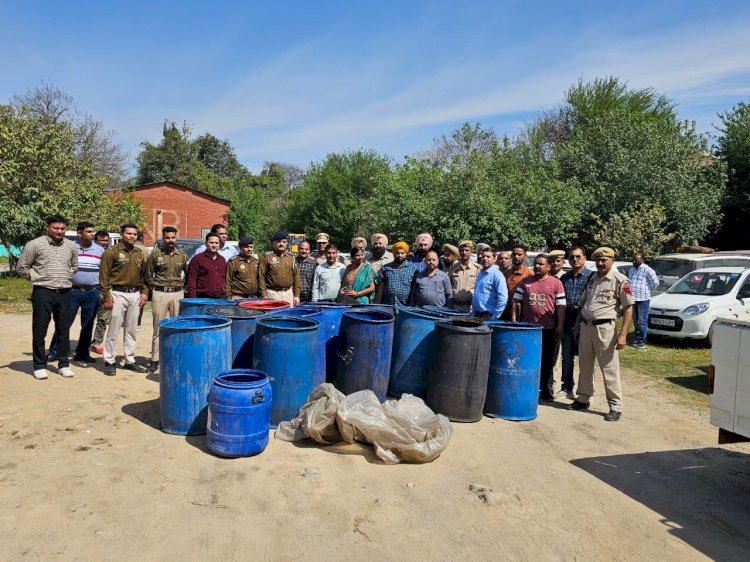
[{"x": 703, "y": 495}]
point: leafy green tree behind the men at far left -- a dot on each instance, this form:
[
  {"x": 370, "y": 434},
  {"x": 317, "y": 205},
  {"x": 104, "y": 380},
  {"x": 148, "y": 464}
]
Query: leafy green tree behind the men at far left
[{"x": 41, "y": 175}]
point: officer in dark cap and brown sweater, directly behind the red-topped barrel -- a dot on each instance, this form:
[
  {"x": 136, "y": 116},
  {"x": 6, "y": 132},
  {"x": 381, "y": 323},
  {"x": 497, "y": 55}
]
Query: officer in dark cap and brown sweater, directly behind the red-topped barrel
[{"x": 278, "y": 276}]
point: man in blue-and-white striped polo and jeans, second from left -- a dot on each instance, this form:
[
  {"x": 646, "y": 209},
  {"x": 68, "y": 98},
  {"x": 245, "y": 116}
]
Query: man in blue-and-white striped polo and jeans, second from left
[{"x": 84, "y": 294}]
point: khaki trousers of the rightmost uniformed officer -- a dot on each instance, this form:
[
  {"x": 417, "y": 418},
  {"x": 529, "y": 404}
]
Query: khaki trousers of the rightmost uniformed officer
[{"x": 598, "y": 343}]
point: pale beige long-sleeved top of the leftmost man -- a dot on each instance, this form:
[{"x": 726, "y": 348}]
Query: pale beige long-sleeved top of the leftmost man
[{"x": 48, "y": 264}]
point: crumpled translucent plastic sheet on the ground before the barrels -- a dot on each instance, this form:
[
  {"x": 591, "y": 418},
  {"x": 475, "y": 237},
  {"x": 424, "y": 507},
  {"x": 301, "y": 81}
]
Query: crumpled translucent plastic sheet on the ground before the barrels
[{"x": 400, "y": 430}]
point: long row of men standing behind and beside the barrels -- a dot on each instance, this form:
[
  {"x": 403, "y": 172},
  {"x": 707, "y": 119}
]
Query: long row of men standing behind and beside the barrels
[{"x": 577, "y": 309}]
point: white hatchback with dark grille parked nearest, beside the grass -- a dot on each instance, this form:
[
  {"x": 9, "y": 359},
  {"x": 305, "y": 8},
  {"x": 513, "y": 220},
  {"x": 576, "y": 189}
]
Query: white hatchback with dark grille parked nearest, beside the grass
[{"x": 690, "y": 307}]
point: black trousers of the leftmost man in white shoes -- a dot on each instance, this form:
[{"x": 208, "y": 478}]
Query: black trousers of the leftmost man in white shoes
[{"x": 48, "y": 304}]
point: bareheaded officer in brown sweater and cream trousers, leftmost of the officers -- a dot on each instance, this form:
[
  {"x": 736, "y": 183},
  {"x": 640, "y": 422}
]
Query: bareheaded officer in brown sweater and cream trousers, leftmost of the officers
[{"x": 124, "y": 291}]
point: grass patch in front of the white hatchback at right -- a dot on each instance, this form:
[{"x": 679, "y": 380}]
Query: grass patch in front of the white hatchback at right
[{"x": 678, "y": 366}]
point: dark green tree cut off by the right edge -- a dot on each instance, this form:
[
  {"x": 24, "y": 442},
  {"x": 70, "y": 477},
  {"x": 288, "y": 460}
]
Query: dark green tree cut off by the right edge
[{"x": 733, "y": 146}]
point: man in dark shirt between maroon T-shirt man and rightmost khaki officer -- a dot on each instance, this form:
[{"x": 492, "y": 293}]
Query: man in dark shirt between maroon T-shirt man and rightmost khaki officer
[{"x": 574, "y": 282}]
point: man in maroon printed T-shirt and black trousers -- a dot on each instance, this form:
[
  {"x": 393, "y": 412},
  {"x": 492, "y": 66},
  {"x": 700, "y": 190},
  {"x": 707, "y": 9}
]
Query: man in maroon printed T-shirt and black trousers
[{"x": 541, "y": 300}]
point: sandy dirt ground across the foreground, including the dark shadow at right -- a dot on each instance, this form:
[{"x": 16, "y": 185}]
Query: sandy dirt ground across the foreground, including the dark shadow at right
[{"x": 86, "y": 474}]
